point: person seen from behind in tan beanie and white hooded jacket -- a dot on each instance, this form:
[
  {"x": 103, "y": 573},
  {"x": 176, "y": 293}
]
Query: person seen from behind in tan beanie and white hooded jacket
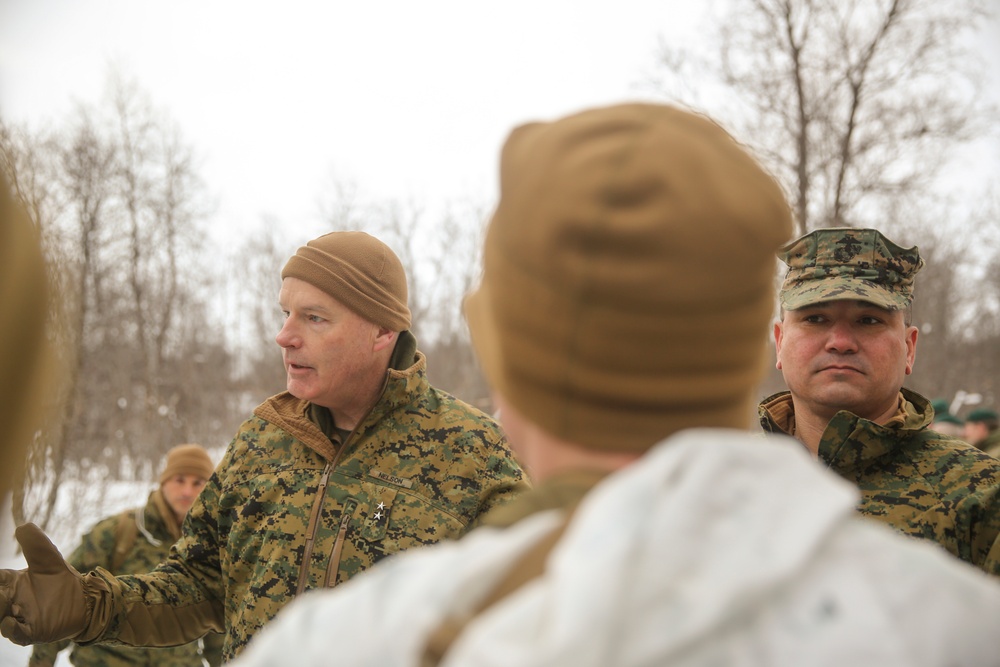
[{"x": 626, "y": 294}]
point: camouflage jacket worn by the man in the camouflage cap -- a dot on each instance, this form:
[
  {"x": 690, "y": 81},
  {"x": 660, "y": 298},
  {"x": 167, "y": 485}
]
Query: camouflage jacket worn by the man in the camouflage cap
[{"x": 920, "y": 482}]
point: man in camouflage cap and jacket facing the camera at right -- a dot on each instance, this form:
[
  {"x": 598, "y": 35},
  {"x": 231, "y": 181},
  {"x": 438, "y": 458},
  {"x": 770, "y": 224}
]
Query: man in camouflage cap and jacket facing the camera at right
[{"x": 844, "y": 345}]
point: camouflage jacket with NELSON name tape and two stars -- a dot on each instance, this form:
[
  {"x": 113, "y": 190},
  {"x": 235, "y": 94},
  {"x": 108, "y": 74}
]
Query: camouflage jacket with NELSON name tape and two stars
[{"x": 291, "y": 509}]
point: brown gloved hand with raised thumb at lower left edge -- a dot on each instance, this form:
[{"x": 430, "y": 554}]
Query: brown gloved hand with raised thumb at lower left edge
[{"x": 44, "y": 603}]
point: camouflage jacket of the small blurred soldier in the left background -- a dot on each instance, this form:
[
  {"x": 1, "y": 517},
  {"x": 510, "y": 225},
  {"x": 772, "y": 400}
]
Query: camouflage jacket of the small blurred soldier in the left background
[{"x": 153, "y": 537}]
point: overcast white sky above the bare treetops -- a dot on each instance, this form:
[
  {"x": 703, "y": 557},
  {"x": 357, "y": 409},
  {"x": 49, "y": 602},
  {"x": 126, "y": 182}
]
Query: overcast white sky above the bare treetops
[{"x": 405, "y": 98}]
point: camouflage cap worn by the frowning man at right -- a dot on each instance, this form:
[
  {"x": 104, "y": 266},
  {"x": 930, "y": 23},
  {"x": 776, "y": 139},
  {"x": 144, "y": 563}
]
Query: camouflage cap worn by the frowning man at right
[{"x": 846, "y": 263}]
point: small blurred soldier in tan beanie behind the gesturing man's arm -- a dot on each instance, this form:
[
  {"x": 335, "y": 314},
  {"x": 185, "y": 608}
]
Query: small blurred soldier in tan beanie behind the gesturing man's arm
[{"x": 133, "y": 542}]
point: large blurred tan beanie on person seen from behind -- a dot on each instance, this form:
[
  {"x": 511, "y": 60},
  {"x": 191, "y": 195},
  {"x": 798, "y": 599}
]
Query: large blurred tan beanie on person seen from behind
[{"x": 628, "y": 280}]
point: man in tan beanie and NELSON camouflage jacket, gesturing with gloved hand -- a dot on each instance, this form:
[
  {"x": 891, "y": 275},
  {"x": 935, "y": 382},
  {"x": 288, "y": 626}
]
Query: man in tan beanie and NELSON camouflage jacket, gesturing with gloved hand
[{"x": 359, "y": 459}]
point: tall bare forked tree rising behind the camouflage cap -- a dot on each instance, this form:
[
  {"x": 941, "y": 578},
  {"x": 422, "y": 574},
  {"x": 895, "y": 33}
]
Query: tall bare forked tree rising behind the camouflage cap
[{"x": 852, "y": 103}]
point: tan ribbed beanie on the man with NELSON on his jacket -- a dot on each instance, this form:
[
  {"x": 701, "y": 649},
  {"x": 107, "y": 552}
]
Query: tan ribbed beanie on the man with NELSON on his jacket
[{"x": 360, "y": 272}]
